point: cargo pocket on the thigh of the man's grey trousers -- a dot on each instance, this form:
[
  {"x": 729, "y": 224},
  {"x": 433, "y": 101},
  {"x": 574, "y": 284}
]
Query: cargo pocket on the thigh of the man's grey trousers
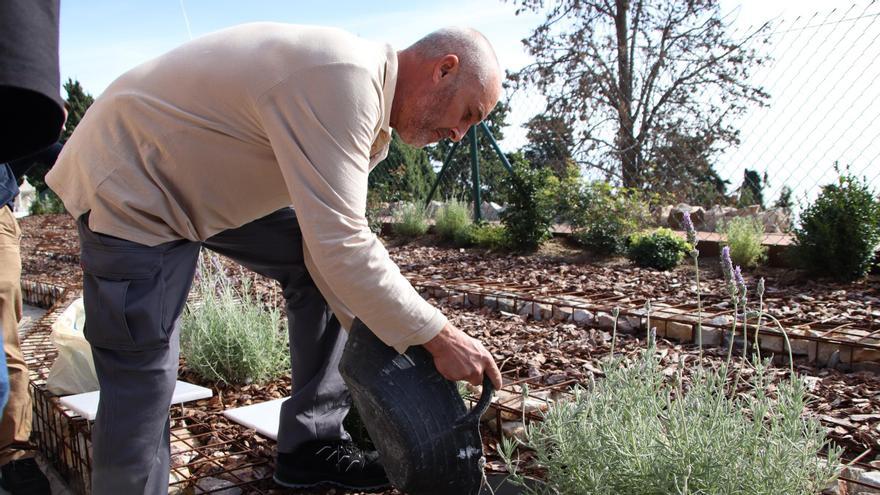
[{"x": 124, "y": 296}]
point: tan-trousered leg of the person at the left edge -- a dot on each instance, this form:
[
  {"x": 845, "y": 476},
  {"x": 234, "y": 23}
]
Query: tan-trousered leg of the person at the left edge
[{"x": 15, "y": 427}]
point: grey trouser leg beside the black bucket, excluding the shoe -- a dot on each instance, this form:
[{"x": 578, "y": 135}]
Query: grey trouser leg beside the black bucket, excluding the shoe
[{"x": 319, "y": 400}]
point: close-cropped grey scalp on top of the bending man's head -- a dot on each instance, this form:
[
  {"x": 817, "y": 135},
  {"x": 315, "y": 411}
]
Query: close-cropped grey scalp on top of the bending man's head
[{"x": 479, "y": 64}]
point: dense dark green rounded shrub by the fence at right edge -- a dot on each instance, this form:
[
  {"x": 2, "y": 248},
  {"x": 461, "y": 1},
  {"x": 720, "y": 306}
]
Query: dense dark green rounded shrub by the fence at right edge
[{"x": 839, "y": 232}]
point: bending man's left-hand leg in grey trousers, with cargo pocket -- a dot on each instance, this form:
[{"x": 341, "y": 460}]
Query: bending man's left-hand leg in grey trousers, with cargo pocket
[{"x": 133, "y": 295}]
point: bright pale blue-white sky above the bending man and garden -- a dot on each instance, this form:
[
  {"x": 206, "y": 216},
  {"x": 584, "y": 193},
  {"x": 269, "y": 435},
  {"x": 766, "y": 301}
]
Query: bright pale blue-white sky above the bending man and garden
[{"x": 822, "y": 105}]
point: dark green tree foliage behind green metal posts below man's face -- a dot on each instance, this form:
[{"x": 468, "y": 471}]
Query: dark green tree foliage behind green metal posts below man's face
[{"x": 457, "y": 181}]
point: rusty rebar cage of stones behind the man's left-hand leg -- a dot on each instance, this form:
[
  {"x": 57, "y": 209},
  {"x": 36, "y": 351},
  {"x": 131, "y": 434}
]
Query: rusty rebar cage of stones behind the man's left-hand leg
[{"x": 200, "y": 450}]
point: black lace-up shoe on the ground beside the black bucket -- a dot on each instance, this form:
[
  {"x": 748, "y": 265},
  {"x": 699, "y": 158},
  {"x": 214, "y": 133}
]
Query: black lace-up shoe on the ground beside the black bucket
[{"x": 340, "y": 463}]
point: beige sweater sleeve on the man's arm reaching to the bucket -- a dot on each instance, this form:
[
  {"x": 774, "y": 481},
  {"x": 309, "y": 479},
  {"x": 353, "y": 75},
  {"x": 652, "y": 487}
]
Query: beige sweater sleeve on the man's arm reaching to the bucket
[{"x": 321, "y": 124}]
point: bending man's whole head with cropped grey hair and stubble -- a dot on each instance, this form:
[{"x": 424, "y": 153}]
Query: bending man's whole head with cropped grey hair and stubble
[{"x": 447, "y": 81}]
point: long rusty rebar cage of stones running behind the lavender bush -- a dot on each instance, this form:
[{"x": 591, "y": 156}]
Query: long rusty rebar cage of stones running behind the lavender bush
[{"x": 818, "y": 339}]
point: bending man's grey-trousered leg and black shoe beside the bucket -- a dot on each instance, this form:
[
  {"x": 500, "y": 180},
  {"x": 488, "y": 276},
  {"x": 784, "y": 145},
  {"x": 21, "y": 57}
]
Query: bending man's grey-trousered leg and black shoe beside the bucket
[{"x": 313, "y": 447}]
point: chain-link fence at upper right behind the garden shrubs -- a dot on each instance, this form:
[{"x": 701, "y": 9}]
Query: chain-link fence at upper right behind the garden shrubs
[{"x": 817, "y": 115}]
